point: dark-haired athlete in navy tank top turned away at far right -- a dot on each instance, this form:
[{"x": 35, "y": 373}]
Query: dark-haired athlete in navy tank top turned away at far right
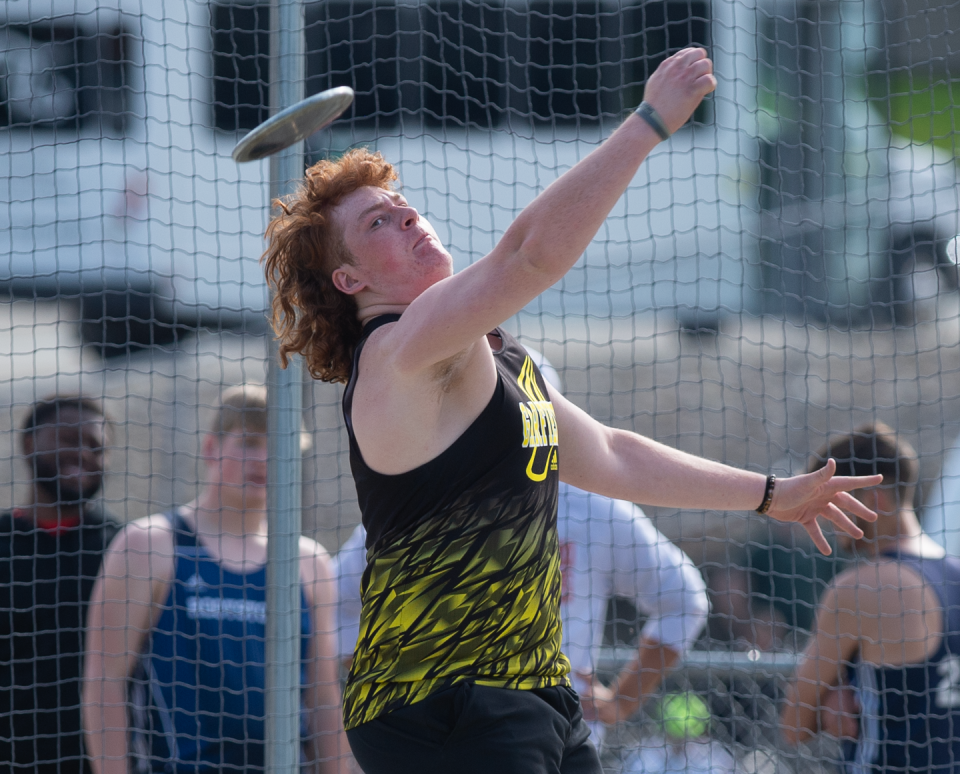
[{"x": 882, "y": 671}]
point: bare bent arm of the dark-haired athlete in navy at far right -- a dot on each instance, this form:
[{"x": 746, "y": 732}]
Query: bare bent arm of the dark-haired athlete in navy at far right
[{"x": 834, "y": 643}]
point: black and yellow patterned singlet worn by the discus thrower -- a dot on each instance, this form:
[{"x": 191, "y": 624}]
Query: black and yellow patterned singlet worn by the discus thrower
[{"x": 463, "y": 568}]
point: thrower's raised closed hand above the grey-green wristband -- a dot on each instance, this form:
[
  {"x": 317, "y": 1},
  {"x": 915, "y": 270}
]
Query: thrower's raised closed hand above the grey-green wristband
[{"x": 679, "y": 84}]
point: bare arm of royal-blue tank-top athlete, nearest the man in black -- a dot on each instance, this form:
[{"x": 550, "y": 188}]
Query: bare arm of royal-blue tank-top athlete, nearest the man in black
[{"x": 122, "y": 609}]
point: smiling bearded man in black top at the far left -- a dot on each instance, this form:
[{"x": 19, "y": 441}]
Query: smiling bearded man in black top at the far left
[{"x": 51, "y": 548}]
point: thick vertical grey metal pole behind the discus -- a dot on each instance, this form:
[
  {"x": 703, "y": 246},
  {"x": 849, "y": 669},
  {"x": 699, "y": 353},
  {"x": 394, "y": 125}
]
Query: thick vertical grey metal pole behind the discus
[{"x": 285, "y": 410}]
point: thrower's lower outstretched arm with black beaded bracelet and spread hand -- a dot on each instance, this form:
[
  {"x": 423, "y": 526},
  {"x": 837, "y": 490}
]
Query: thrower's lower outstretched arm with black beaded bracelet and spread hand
[{"x": 627, "y": 466}]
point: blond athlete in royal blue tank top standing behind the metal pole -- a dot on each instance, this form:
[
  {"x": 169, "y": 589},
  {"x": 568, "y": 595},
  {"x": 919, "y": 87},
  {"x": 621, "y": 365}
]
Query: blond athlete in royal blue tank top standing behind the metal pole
[{"x": 175, "y": 664}]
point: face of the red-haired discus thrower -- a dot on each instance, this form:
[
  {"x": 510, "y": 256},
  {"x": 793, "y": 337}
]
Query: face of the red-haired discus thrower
[{"x": 396, "y": 253}]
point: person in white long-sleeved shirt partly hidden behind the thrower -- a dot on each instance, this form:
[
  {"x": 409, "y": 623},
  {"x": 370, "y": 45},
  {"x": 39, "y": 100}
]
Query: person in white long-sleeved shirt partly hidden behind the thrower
[{"x": 608, "y": 548}]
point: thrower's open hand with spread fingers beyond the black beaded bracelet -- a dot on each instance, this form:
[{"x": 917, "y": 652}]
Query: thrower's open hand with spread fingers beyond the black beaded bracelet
[{"x": 801, "y": 499}]
